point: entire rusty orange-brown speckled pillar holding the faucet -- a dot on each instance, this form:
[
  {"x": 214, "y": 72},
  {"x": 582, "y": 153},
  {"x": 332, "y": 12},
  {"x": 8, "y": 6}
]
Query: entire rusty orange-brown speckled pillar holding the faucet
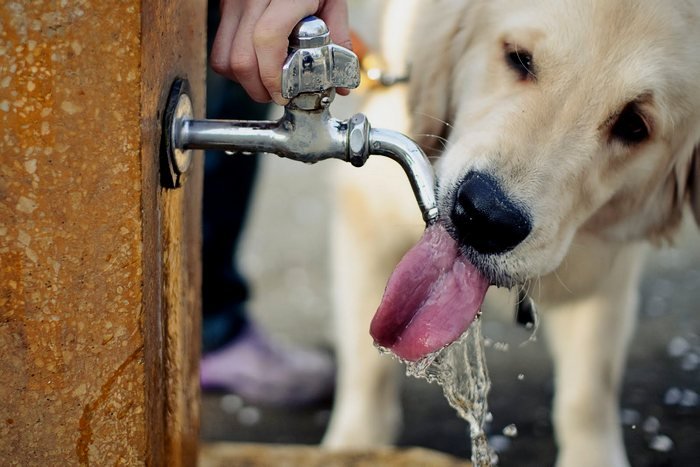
[{"x": 91, "y": 363}]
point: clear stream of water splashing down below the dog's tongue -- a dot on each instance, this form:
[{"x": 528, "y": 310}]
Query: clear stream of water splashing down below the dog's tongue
[{"x": 460, "y": 369}]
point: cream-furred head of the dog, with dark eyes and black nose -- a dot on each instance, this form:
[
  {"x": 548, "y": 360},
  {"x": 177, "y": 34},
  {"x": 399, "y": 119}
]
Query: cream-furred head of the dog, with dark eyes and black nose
[{"x": 559, "y": 117}]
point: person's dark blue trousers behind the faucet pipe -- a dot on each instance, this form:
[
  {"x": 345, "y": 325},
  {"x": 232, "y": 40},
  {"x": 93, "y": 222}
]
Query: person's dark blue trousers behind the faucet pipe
[{"x": 228, "y": 184}]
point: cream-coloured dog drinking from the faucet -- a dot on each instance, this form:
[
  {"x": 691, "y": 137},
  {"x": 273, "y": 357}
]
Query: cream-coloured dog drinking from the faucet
[{"x": 566, "y": 138}]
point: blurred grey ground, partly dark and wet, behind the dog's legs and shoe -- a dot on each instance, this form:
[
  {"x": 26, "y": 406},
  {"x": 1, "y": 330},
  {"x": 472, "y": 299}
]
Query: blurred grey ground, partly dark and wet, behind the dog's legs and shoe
[{"x": 284, "y": 254}]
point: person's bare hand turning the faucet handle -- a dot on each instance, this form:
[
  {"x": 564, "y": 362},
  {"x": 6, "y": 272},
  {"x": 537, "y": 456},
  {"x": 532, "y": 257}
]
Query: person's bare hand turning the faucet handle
[{"x": 252, "y": 39}]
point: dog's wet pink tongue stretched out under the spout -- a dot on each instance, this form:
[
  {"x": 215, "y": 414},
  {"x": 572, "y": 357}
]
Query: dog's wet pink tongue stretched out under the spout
[{"x": 432, "y": 297}]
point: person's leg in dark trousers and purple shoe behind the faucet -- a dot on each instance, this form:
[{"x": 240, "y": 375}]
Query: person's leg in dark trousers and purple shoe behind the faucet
[{"x": 237, "y": 357}]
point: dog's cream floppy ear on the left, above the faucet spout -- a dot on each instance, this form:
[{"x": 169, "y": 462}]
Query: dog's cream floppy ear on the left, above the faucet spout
[{"x": 442, "y": 33}]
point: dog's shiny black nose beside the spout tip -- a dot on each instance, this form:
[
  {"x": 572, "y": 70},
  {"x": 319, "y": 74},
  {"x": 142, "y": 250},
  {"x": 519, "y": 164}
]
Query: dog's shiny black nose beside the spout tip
[{"x": 485, "y": 218}]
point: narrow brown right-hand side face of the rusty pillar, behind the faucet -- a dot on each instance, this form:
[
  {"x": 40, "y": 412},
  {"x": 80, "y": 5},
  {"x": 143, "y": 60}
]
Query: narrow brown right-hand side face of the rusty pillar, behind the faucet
[{"x": 174, "y": 34}]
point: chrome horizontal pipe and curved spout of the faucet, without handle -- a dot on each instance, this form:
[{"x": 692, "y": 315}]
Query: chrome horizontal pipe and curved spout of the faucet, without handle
[{"x": 314, "y": 136}]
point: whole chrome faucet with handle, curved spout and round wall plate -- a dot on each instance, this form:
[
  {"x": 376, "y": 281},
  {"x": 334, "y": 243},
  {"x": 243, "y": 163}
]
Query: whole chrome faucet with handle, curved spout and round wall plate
[{"x": 306, "y": 132}]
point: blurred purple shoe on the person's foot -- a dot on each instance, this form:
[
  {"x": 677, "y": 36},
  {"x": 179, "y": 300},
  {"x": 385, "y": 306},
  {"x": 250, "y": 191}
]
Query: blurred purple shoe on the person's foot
[{"x": 263, "y": 372}]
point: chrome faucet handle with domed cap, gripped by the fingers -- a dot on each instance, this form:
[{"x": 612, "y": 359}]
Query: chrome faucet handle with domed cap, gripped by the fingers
[{"x": 314, "y": 63}]
